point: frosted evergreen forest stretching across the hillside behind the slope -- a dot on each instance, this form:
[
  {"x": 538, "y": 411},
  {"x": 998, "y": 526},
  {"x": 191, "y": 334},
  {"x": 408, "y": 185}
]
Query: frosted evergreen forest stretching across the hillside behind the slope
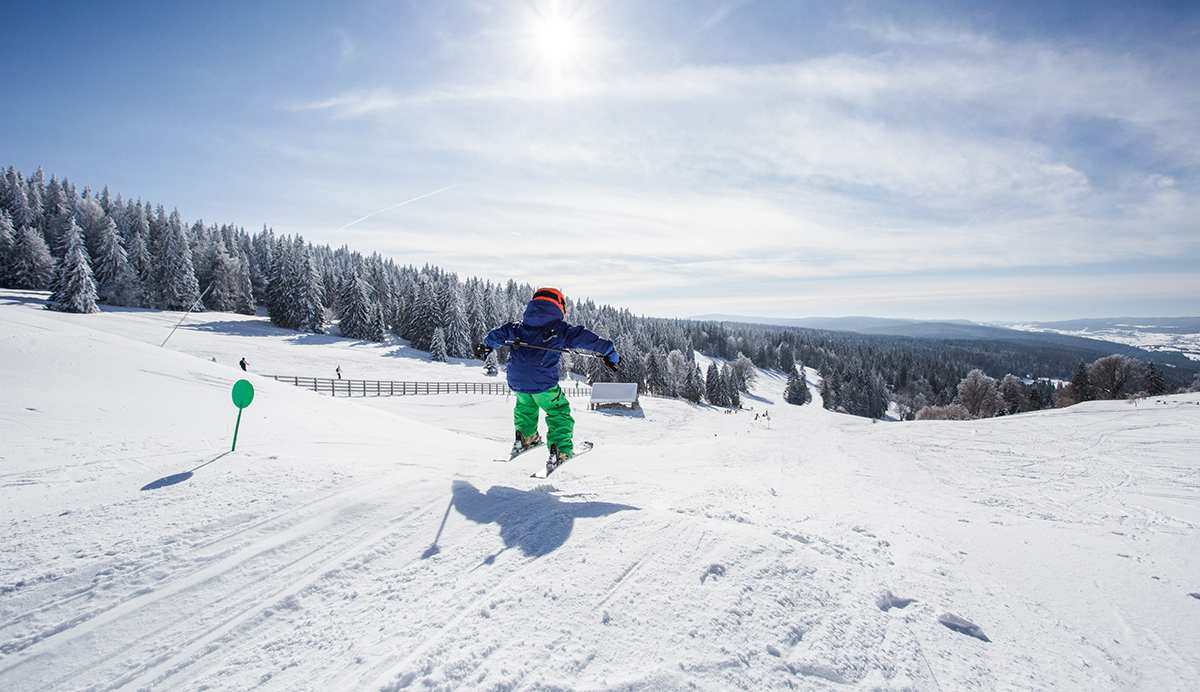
[{"x": 91, "y": 249}]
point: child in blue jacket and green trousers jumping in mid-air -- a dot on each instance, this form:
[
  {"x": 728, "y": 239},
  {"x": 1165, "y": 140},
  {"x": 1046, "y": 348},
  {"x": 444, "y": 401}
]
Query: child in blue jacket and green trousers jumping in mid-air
[{"x": 533, "y": 372}]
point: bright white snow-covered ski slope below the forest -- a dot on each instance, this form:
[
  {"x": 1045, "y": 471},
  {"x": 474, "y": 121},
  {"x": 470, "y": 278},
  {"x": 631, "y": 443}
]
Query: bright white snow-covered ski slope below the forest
[{"x": 374, "y": 544}]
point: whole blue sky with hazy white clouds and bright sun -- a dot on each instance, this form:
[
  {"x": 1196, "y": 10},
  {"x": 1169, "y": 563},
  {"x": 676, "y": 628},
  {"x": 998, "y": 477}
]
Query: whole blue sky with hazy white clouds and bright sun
[{"x": 1013, "y": 161}]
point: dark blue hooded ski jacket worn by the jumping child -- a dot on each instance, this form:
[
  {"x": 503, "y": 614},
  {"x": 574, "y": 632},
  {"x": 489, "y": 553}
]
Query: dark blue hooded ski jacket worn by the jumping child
[{"x": 532, "y": 371}]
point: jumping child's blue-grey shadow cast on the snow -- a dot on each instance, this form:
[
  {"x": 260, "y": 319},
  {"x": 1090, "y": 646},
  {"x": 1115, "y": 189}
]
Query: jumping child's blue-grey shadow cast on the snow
[{"x": 537, "y": 523}]
